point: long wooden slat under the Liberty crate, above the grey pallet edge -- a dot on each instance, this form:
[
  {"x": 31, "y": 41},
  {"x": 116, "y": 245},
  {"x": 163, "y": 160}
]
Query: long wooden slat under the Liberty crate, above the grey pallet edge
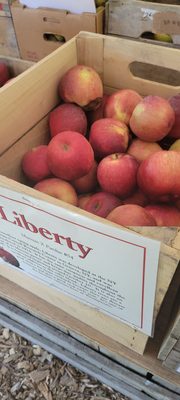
[{"x": 57, "y": 318}]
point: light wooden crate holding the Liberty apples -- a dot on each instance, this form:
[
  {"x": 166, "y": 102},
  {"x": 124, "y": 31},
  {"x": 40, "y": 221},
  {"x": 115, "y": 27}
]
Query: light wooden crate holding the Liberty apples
[{"x": 105, "y": 54}]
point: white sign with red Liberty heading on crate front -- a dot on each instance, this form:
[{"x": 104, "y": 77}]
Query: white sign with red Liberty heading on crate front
[{"x": 100, "y": 265}]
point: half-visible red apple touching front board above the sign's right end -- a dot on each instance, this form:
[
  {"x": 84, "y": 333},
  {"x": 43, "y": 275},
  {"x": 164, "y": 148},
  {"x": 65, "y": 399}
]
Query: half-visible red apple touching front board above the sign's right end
[{"x": 131, "y": 215}]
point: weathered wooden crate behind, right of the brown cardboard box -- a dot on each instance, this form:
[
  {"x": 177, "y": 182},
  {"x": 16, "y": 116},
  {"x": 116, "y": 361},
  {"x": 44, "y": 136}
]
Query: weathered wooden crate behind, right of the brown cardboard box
[{"x": 133, "y": 18}]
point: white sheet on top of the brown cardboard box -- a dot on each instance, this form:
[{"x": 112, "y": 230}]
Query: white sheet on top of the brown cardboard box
[{"x": 74, "y": 6}]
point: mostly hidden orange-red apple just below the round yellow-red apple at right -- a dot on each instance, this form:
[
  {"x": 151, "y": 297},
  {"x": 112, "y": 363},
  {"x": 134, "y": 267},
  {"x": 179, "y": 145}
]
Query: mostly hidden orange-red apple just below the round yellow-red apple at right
[{"x": 141, "y": 149}]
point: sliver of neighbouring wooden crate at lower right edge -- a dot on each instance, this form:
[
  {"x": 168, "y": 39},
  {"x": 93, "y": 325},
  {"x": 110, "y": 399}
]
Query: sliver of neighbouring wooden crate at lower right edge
[{"x": 169, "y": 352}]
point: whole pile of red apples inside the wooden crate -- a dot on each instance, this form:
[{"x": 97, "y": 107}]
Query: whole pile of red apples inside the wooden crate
[{"x": 116, "y": 156}]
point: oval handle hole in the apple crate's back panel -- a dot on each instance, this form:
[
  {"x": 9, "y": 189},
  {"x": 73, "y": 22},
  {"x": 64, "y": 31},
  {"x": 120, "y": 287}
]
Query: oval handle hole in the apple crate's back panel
[{"x": 155, "y": 73}]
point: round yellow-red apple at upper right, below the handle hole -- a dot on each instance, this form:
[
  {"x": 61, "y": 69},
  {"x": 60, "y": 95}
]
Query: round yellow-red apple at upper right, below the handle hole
[{"x": 152, "y": 119}]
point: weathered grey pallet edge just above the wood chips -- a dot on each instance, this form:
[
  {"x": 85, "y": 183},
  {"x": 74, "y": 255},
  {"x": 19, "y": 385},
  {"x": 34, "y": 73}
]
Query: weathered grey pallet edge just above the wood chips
[{"x": 122, "y": 377}]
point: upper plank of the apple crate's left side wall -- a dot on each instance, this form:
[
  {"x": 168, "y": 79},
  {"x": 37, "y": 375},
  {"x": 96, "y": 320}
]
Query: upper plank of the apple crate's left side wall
[{"x": 33, "y": 94}]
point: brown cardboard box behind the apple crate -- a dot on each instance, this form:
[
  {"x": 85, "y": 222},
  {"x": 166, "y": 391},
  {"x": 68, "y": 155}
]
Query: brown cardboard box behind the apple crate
[{"x": 41, "y": 31}]
